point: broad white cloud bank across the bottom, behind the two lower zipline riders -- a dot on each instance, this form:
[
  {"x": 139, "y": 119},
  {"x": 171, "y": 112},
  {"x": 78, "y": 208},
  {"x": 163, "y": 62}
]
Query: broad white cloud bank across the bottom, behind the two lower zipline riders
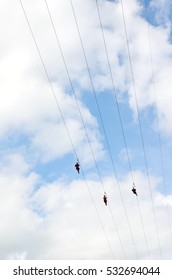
[{"x": 58, "y": 220}]
